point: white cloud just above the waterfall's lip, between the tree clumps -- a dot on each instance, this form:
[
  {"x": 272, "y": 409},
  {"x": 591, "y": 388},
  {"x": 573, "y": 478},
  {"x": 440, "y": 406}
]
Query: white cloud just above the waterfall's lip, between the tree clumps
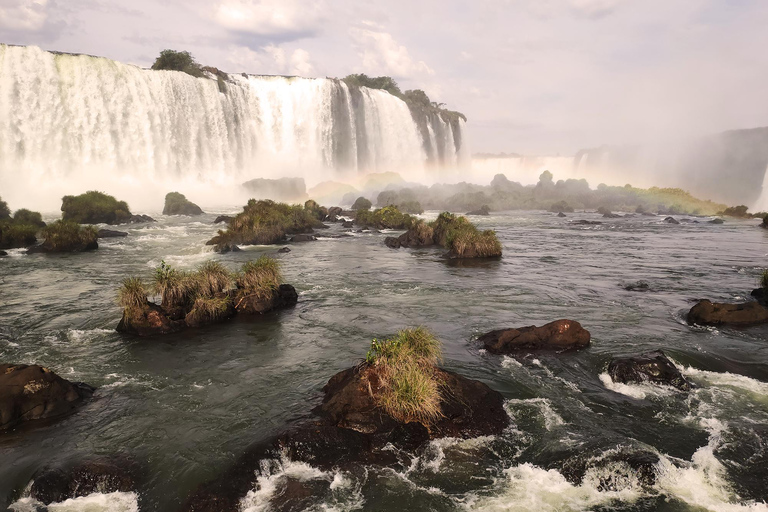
[{"x": 271, "y": 60}]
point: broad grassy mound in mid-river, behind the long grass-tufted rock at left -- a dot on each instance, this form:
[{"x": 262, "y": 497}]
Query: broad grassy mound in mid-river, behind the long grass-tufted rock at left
[{"x": 265, "y": 222}]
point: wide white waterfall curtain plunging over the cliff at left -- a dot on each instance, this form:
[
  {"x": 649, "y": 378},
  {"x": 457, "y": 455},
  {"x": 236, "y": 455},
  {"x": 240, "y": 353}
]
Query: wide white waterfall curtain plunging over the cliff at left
[{"x": 70, "y": 123}]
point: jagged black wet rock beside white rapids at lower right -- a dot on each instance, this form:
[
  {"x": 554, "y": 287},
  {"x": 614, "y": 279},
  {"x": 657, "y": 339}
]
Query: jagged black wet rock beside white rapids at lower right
[{"x": 653, "y": 367}]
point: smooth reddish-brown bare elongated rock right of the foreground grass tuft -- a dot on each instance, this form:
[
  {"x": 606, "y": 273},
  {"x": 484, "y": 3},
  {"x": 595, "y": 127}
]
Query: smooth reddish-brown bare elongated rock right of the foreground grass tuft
[{"x": 557, "y": 335}]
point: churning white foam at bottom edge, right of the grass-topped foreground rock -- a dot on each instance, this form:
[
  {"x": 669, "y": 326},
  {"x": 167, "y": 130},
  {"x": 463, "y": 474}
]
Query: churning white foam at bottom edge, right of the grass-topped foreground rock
[{"x": 528, "y": 487}]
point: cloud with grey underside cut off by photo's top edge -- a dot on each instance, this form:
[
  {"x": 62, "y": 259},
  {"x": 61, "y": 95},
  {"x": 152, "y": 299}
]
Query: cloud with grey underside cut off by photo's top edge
[{"x": 284, "y": 19}]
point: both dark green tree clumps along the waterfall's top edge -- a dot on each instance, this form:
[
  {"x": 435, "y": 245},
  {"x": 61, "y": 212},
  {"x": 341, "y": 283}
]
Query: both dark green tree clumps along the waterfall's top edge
[{"x": 416, "y": 99}]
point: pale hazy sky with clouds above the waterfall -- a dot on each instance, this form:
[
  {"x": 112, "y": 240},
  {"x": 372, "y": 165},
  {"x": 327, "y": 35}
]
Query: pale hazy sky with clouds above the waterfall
[{"x": 532, "y": 76}]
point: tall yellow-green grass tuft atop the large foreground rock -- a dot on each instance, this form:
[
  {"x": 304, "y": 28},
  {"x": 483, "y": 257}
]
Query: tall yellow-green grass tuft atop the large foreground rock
[{"x": 404, "y": 367}]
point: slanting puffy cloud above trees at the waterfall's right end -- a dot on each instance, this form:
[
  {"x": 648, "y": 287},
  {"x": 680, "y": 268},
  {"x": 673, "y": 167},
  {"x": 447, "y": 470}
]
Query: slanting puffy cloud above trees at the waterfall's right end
[{"x": 382, "y": 54}]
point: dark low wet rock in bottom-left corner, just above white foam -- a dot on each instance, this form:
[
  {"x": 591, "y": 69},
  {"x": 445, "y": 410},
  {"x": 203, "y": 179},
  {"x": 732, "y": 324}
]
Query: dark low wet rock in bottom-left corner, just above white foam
[{"x": 57, "y": 484}]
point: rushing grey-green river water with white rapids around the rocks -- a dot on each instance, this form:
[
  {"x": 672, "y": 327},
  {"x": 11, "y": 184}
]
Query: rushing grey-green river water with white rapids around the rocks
[{"x": 185, "y": 406}]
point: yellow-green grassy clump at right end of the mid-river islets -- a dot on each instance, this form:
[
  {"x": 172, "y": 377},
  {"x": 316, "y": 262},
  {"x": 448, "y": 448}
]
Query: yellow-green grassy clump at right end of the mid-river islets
[{"x": 463, "y": 239}]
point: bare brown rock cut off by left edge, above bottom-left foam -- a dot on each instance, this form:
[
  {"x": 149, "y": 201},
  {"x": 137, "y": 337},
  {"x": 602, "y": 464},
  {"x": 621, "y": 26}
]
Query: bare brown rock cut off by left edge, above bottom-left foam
[{"x": 32, "y": 392}]
